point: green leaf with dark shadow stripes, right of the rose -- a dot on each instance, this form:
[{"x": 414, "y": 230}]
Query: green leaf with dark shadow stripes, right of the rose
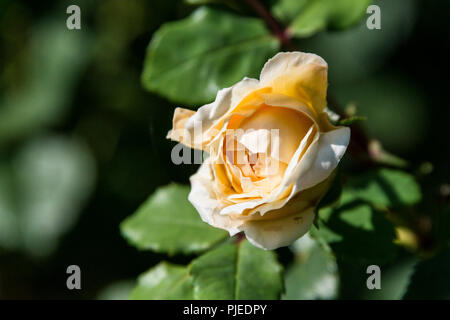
[{"x": 383, "y": 188}]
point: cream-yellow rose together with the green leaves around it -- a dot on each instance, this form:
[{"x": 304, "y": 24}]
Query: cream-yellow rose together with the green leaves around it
[{"x": 271, "y": 172}]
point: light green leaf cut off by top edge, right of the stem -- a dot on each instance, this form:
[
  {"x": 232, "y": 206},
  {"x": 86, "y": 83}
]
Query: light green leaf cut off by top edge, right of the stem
[{"x": 307, "y": 17}]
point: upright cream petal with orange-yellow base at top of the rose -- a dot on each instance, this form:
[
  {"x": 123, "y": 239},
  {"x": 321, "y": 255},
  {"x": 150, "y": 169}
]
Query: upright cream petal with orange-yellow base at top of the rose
[{"x": 299, "y": 75}]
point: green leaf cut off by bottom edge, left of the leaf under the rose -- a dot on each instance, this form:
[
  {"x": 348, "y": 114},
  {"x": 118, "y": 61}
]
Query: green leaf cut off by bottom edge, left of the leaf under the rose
[{"x": 164, "y": 282}]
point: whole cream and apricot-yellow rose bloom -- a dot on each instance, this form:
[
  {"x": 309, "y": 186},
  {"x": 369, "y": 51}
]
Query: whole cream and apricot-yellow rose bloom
[{"x": 267, "y": 176}]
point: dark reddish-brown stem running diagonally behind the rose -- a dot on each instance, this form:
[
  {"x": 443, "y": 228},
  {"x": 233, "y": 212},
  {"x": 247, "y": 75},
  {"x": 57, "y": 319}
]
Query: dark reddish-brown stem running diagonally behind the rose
[{"x": 359, "y": 144}]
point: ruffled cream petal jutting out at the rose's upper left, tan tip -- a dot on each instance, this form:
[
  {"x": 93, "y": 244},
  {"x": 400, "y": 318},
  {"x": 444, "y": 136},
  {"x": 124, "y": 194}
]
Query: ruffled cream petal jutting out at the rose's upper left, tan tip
[{"x": 200, "y": 127}]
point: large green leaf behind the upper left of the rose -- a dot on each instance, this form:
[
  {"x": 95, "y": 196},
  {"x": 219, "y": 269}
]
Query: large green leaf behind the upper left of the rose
[{"x": 189, "y": 60}]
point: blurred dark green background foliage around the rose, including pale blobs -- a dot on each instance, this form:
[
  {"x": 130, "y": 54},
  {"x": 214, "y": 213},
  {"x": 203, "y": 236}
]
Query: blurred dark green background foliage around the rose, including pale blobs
[{"x": 82, "y": 144}]
